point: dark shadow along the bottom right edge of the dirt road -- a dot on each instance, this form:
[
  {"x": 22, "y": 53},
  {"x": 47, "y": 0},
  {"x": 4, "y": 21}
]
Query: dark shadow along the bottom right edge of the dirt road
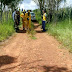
[{"x": 51, "y": 69}]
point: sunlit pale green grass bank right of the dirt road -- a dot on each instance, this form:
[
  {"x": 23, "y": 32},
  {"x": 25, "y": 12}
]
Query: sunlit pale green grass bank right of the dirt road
[{"x": 63, "y": 32}]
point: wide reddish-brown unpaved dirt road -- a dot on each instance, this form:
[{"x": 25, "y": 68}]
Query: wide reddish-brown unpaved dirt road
[{"x": 22, "y": 54}]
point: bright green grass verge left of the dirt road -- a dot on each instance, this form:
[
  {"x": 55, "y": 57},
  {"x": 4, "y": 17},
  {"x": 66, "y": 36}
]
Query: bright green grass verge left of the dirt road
[{"x": 6, "y": 29}]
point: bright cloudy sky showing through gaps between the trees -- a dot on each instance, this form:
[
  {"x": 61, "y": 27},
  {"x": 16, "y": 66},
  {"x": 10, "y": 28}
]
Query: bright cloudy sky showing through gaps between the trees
[{"x": 29, "y": 4}]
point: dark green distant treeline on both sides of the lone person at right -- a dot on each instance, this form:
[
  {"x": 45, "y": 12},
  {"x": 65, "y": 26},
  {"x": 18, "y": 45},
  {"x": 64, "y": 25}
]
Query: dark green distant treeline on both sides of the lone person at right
[{"x": 61, "y": 14}]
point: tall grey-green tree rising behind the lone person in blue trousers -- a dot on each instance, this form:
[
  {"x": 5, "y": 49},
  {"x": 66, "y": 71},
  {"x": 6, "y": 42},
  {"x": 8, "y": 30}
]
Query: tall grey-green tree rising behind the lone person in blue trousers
[{"x": 50, "y": 5}]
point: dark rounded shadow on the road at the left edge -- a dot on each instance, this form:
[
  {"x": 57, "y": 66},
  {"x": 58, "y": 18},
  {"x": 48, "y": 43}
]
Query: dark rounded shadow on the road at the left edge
[{"x": 4, "y": 60}]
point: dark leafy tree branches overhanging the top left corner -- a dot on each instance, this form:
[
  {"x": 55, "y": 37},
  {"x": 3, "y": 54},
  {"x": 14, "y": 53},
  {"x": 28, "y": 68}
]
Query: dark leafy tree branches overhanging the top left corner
[{"x": 10, "y": 3}]
